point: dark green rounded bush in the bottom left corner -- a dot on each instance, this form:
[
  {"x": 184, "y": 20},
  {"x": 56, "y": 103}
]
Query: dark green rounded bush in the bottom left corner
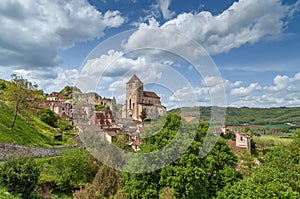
[{"x": 20, "y": 175}]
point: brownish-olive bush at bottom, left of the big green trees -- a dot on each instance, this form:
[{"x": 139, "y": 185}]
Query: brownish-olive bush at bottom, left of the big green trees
[{"x": 105, "y": 185}]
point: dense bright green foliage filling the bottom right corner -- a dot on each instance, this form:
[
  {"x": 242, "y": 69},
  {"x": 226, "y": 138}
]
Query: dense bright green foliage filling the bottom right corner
[{"x": 279, "y": 176}]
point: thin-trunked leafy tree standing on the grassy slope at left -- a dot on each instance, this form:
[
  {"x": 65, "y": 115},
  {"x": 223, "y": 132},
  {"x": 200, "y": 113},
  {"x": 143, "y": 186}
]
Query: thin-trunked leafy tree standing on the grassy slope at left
[{"x": 22, "y": 95}]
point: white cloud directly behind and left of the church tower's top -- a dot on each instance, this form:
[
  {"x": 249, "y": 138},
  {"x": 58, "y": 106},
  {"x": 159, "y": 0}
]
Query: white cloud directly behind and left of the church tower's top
[{"x": 115, "y": 68}]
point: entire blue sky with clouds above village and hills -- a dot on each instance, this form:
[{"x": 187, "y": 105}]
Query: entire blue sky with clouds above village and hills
[{"x": 192, "y": 52}]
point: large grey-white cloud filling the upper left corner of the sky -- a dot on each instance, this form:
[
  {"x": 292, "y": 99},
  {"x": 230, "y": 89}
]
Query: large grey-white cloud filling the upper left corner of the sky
[{"x": 33, "y": 31}]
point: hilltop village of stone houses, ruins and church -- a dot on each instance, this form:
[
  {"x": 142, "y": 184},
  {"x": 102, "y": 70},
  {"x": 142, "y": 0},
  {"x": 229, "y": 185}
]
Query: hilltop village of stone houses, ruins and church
[{"x": 103, "y": 116}]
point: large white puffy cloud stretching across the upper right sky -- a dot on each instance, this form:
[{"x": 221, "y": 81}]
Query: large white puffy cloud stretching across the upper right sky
[{"x": 246, "y": 21}]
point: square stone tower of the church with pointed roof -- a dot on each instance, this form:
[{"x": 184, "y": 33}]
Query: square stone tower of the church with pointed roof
[{"x": 134, "y": 95}]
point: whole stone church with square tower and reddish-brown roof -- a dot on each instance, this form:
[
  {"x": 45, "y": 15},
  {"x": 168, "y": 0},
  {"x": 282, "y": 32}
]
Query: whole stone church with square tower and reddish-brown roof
[{"x": 137, "y": 100}]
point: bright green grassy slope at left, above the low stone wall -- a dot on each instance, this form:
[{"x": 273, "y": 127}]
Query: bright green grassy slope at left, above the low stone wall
[{"x": 32, "y": 133}]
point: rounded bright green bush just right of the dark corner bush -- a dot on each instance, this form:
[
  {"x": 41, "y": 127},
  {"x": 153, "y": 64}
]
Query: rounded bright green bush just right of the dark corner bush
[{"x": 72, "y": 168}]
